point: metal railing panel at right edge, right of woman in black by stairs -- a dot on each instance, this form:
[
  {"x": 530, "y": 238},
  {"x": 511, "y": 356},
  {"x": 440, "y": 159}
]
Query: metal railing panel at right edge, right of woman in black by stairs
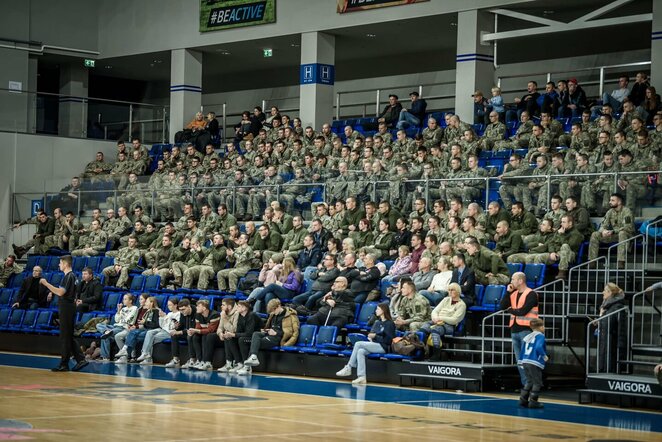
[{"x": 646, "y": 324}]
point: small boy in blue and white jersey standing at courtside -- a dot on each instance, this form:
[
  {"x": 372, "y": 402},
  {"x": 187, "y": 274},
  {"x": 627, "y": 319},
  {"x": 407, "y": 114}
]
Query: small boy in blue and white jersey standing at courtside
[{"x": 533, "y": 356}]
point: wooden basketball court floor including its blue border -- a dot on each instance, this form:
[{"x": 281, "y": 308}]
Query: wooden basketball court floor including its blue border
[{"x": 152, "y": 403}]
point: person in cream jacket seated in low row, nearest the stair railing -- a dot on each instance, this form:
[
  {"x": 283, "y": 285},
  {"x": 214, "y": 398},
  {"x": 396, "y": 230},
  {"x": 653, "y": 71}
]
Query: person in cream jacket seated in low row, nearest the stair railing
[{"x": 445, "y": 317}]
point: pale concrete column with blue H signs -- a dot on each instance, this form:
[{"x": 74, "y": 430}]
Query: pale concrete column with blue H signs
[{"x": 316, "y": 79}]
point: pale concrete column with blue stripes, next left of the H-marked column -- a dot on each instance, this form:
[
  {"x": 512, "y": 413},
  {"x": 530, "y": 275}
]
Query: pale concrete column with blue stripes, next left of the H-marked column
[{"x": 185, "y": 88}]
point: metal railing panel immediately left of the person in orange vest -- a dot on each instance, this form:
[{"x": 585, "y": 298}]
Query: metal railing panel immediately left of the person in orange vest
[{"x": 496, "y": 345}]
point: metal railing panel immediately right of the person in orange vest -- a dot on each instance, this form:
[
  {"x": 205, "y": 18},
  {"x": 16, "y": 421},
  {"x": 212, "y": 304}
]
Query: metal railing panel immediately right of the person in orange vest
[{"x": 551, "y": 305}]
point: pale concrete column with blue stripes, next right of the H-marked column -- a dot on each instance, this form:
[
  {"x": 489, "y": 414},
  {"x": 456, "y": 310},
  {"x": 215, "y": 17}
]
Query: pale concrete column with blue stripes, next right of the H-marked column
[{"x": 474, "y": 68}]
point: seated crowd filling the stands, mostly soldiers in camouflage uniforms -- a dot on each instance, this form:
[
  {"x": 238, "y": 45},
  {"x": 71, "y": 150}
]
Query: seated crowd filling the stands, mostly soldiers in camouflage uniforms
[{"x": 380, "y": 220}]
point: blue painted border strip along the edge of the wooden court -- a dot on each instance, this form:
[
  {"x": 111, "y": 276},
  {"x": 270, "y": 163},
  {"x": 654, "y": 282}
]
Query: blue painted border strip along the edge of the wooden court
[{"x": 556, "y": 412}]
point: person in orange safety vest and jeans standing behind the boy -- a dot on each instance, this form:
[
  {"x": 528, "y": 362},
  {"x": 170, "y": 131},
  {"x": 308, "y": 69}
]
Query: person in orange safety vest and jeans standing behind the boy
[{"x": 522, "y": 304}]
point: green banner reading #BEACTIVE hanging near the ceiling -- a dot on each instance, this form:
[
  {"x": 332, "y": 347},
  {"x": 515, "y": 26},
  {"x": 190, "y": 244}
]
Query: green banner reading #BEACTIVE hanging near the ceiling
[{"x": 224, "y": 14}]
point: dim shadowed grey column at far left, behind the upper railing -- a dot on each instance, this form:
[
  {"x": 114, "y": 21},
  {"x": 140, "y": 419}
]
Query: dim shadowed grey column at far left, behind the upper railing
[{"x": 72, "y": 121}]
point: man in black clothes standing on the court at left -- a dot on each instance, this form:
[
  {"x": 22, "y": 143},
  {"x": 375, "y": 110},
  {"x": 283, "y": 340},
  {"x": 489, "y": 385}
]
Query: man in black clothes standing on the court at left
[{"x": 66, "y": 293}]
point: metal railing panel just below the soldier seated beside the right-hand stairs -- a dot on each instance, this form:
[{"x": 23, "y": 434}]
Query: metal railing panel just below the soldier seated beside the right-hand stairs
[{"x": 628, "y": 271}]
